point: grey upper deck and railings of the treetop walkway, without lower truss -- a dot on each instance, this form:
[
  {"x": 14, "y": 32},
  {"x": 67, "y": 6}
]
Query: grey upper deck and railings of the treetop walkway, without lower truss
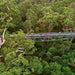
[{"x": 50, "y": 35}]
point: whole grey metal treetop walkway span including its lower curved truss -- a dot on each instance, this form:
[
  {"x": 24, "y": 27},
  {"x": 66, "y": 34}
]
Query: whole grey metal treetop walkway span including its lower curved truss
[{"x": 50, "y": 36}]
